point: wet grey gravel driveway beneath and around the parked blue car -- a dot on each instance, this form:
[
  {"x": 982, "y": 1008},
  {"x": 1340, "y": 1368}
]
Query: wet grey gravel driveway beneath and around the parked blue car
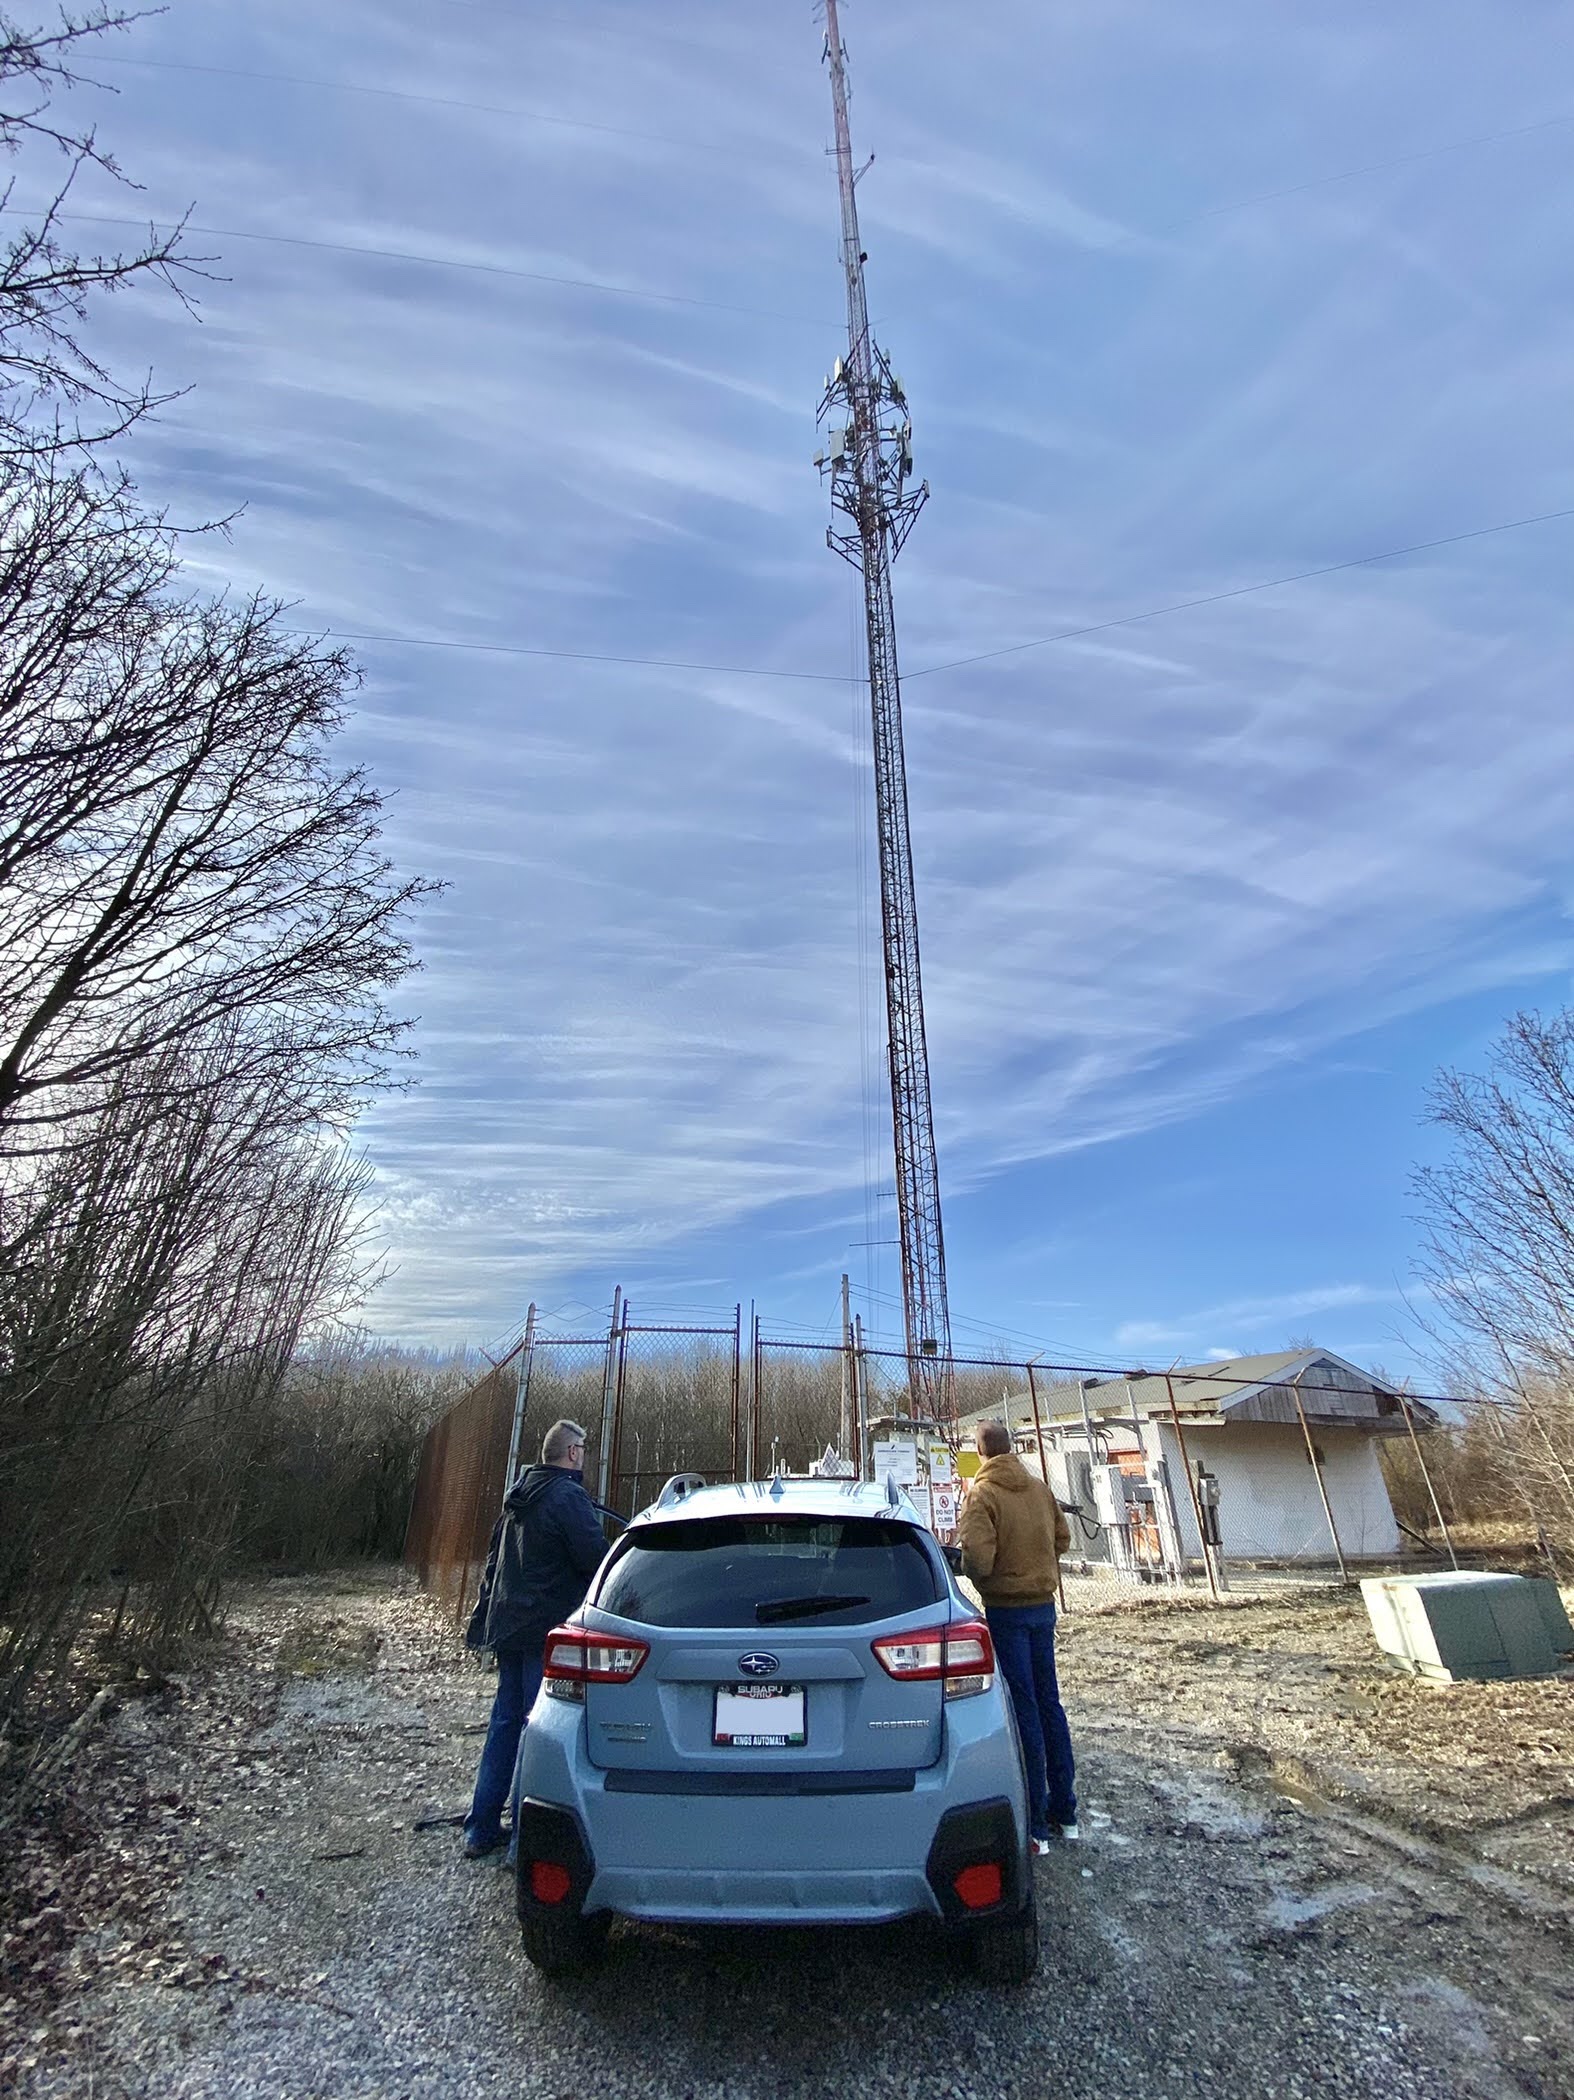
[{"x": 247, "y": 1910}]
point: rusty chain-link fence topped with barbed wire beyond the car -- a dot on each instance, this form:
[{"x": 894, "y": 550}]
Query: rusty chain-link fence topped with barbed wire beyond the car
[{"x": 1212, "y": 1482}]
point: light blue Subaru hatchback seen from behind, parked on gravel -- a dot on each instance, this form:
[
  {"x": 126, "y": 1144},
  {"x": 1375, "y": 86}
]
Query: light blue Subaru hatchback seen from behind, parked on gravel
[{"x": 775, "y": 1708}]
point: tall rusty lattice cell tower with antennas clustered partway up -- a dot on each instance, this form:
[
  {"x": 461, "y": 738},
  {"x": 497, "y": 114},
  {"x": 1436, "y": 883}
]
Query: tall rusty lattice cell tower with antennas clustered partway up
[{"x": 870, "y": 463}]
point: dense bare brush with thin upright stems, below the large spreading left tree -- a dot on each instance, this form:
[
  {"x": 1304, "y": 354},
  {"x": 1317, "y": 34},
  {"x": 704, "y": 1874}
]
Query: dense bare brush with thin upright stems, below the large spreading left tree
[{"x": 156, "y": 1286}]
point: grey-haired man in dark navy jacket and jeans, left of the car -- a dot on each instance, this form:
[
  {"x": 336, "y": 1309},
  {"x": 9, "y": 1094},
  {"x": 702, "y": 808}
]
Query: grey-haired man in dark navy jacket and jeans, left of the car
[{"x": 545, "y": 1551}]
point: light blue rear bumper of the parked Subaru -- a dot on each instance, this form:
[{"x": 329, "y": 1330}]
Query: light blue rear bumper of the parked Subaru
[{"x": 862, "y": 1857}]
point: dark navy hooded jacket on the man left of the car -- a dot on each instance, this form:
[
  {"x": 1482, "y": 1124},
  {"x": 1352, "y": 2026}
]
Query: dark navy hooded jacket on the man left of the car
[{"x": 545, "y": 1549}]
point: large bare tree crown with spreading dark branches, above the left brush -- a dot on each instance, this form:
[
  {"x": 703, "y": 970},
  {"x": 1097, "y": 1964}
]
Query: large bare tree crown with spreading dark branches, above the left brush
[{"x": 175, "y": 845}]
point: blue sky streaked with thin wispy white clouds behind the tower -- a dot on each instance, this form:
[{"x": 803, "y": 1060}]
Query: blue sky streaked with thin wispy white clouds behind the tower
[{"x": 509, "y": 369}]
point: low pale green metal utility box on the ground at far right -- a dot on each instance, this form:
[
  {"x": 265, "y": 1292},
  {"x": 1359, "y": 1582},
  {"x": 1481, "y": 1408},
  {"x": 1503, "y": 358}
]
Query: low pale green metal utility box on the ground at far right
[{"x": 1470, "y": 1626}]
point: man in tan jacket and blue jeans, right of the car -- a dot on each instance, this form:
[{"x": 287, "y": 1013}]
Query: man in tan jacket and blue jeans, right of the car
[{"x": 1013, "y": 1534}]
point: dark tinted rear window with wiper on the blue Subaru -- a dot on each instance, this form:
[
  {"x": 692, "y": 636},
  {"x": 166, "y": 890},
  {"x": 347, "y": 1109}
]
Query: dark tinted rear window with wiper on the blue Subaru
[{"x": 769, "y": 1572}]
